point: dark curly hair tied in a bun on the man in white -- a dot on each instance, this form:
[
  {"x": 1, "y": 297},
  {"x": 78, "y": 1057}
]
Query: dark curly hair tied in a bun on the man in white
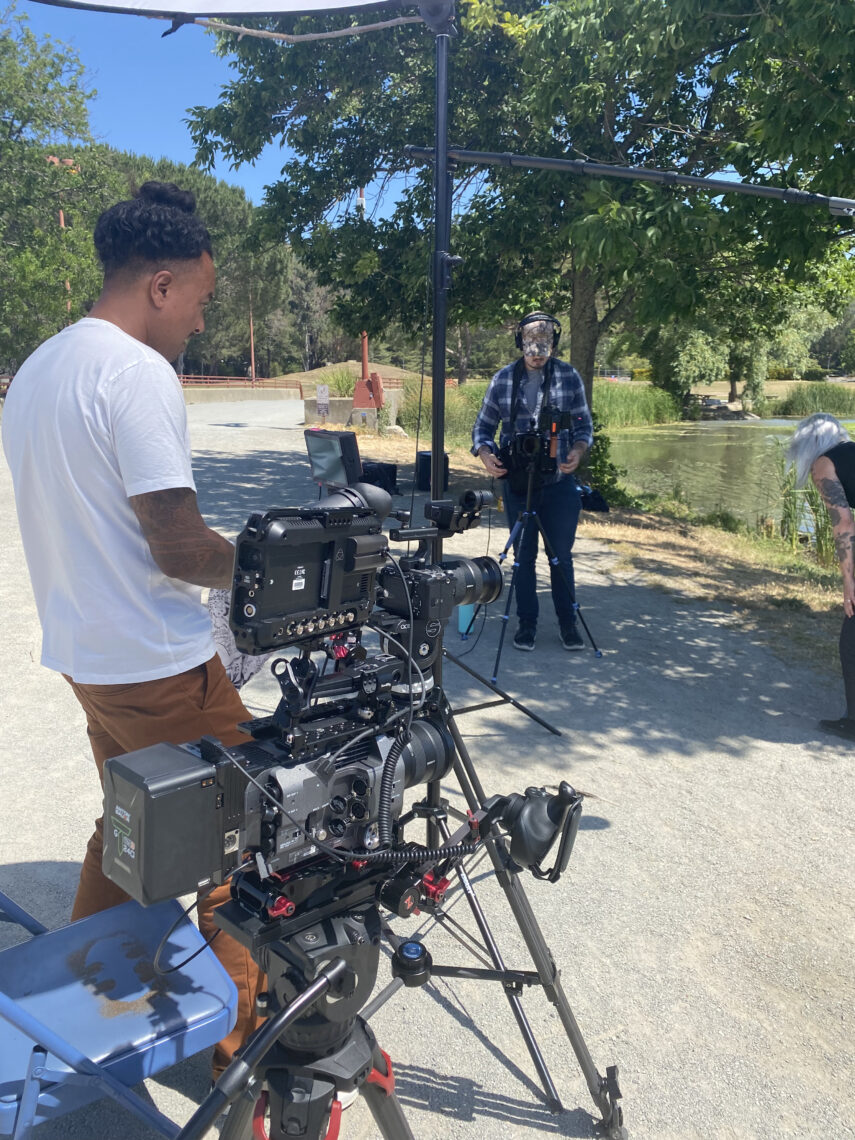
[{"x": 158, "y": 226}]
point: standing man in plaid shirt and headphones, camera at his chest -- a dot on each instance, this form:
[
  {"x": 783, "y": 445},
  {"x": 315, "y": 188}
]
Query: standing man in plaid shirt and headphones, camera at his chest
[{"x": 525, "y": 396}]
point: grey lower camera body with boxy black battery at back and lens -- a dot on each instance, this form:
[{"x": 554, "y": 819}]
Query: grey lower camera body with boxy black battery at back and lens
[{"x": 178, "y": 818}]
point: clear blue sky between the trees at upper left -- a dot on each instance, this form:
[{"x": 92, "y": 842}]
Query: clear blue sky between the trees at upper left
[{"x": 145, "y": 85}]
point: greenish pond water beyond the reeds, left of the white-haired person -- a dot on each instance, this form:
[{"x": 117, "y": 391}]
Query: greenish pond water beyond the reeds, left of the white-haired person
[{"x": 730, "y": 466}]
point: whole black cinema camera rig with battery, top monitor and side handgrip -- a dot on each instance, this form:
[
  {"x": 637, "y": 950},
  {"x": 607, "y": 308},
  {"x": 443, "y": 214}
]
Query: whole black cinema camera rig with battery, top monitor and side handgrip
[{"x": 311, "y": 808}]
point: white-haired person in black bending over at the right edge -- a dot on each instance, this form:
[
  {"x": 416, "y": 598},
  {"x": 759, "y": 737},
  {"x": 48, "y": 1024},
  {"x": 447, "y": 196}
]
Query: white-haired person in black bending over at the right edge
[{"x": 823, "y": 450}]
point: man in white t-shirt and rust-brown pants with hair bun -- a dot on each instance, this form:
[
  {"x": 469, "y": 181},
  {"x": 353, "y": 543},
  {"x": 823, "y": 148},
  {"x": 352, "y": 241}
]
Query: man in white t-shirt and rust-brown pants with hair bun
[{"x": 95, "y": 431}]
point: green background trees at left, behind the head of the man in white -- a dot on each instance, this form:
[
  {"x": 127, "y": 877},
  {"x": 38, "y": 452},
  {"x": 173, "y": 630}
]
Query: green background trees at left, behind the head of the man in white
[{"x": 55, "y": 183}]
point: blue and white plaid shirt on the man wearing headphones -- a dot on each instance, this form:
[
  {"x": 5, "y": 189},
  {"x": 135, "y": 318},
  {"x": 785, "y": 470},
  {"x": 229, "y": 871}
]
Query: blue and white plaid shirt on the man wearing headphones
[{"x": 567, "y": 393}]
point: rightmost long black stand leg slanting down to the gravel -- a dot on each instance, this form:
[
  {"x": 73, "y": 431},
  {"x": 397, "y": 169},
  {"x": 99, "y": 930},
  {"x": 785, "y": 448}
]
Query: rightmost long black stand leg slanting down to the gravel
[{"x": 605, "y": 1090}]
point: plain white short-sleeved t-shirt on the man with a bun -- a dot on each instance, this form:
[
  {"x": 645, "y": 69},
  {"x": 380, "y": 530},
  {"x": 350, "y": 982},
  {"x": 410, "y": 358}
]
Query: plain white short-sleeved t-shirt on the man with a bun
[{"x": 93, "y": 418}]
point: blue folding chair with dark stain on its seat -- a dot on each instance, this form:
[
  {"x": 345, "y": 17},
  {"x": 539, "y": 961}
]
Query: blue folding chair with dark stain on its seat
[{"x": 84, "y": 1013}]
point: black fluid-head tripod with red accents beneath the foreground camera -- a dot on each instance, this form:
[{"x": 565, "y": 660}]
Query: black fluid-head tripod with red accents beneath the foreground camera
[{"x": 315, "y": 1046}]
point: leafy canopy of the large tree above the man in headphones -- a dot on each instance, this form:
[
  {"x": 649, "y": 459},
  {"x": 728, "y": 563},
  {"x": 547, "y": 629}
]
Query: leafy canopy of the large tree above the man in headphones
[{"x": 632, "y": 83}]
